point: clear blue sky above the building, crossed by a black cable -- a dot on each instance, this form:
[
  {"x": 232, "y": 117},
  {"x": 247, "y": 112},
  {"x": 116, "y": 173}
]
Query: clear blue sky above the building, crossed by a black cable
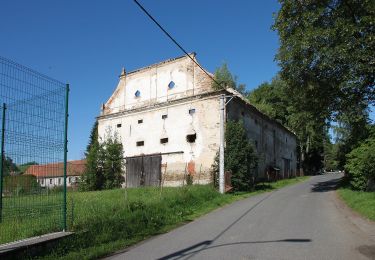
[{"x": 86, "y": 43}]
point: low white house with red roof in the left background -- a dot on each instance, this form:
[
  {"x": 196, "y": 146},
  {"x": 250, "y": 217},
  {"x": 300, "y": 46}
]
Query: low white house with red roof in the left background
[{"x": 52, "y": 175}]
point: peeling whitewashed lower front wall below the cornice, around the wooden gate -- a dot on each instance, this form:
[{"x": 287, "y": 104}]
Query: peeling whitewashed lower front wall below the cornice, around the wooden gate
[{"x": 204, "y": 122}]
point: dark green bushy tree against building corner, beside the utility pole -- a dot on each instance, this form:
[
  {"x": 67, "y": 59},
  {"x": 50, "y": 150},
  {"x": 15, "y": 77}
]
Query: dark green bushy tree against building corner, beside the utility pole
[{"x": 240, "y": 157}]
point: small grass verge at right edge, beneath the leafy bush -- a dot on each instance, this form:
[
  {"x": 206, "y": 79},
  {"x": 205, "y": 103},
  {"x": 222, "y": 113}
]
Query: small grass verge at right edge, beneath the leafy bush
[{"x": 360, "y": 201}]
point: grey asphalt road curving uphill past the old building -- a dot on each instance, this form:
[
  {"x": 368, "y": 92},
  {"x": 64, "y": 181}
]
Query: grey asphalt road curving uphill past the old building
[{"x": 303, "y": 221}]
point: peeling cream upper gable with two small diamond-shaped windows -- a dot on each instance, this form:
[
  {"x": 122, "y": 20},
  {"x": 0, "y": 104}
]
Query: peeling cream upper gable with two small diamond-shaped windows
[{"x": 152, "y": 83}]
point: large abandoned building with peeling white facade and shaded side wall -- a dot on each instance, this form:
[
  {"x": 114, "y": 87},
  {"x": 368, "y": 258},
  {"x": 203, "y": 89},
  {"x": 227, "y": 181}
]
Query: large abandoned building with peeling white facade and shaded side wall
[{"x": 168, "y": 119}]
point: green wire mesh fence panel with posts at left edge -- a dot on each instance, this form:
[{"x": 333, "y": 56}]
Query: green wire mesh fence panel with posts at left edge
[{"x": 33, "y": 120}]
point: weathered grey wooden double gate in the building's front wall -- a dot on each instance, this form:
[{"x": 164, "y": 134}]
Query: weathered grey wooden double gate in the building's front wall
[{"x": 143, "y": 171}]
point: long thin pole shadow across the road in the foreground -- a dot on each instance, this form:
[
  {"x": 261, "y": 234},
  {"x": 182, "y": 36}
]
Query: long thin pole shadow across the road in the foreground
[{"x": 193, "y": 250}]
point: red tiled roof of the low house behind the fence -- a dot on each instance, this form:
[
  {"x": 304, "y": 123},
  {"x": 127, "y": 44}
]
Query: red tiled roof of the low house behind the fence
[{"x": 74, "y": 168}]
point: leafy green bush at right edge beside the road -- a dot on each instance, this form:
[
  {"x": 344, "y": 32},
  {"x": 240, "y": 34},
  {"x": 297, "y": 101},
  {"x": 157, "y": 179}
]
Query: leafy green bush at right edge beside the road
[{"x": 360, "y": 166}]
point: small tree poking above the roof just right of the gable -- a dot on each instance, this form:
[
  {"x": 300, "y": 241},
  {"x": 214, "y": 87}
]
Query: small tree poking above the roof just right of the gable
[{"x": 226, "y": 79}]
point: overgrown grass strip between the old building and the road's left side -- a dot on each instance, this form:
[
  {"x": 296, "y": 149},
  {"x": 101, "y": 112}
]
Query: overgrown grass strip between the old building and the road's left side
[{"x": 106, "y": 221}]
